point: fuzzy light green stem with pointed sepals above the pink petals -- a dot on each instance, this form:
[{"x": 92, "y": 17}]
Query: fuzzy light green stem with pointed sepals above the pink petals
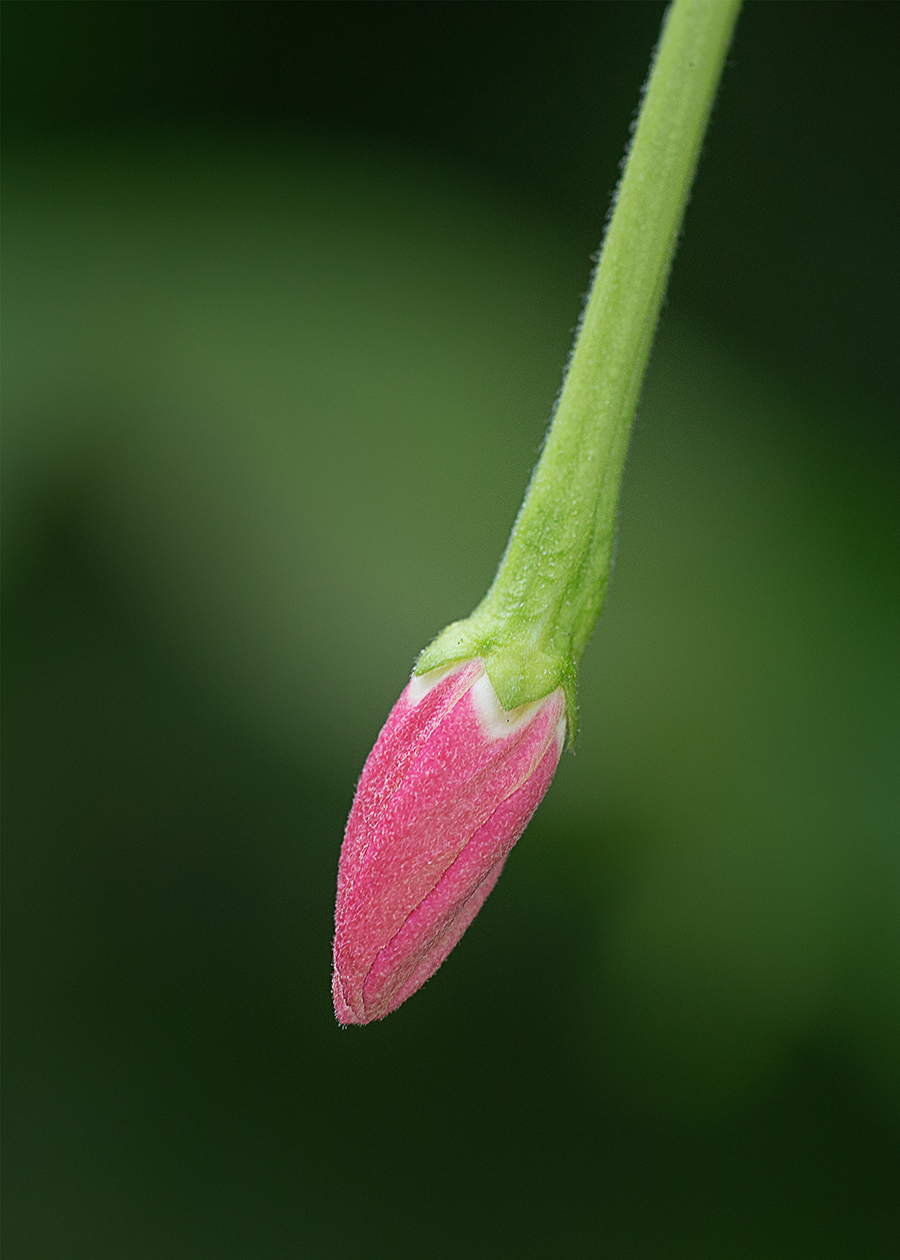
[{"x": 536, "y": 619}]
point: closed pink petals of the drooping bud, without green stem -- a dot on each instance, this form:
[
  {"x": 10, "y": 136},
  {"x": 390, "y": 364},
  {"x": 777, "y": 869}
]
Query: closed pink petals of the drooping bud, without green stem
[{"x": 448, "y": 789}]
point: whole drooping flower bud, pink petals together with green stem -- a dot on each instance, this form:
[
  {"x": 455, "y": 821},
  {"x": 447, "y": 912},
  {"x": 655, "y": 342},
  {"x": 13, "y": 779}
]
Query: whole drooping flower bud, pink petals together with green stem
[{"x": 473, "y": 743}]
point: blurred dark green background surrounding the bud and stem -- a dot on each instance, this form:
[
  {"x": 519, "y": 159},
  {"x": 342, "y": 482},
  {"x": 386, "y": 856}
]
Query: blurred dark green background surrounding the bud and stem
[{"x": 289, "y": 289}]
